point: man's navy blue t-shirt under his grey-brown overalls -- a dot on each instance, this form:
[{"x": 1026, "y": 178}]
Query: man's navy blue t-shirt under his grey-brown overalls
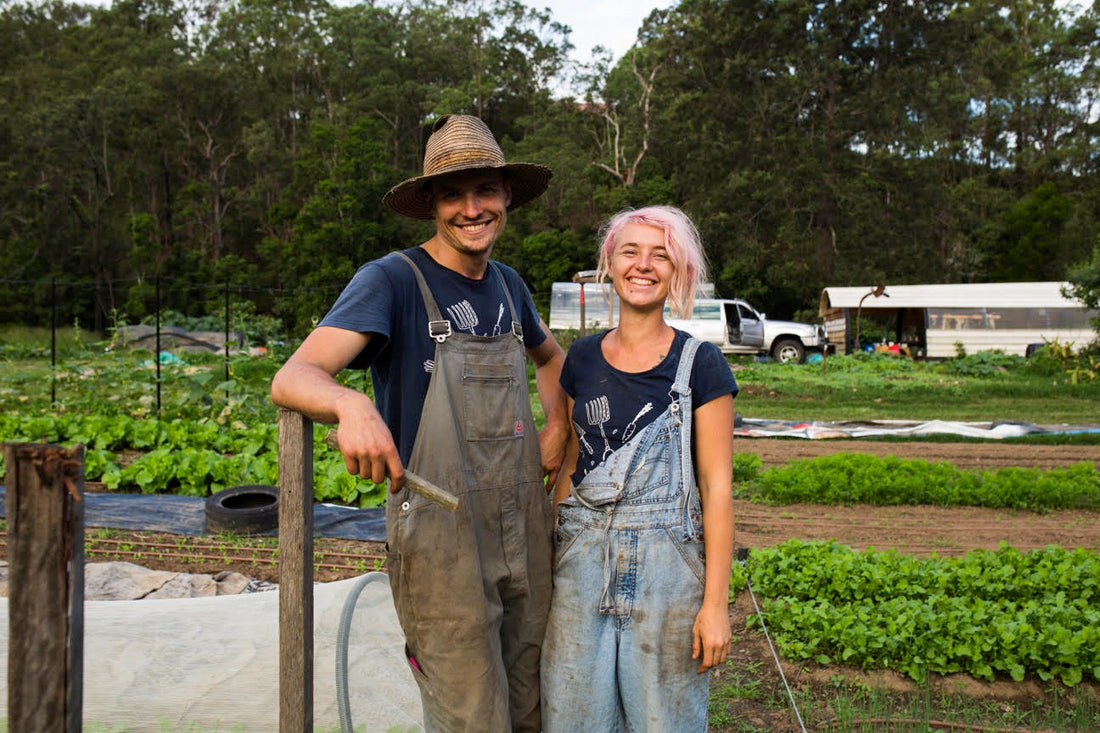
[{"x": 383, "y": 300}]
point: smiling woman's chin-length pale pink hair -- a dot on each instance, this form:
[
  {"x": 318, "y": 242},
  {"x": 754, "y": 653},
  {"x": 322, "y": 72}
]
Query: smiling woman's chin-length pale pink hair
[{"x": 683, "y": 243}]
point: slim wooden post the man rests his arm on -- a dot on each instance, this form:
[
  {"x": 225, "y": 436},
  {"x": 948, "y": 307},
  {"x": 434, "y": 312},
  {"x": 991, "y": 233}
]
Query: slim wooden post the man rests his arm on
[{"x": 295, "y": 573}]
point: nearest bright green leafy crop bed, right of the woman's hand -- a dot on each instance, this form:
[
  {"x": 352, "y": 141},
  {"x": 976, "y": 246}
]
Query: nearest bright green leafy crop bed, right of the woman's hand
[{"x": 986, "y": 615}]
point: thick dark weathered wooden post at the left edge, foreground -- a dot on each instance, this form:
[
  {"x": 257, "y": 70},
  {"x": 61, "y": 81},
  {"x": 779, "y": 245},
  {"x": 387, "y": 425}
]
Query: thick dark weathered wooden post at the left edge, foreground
[{"x": 46, "y": 607}]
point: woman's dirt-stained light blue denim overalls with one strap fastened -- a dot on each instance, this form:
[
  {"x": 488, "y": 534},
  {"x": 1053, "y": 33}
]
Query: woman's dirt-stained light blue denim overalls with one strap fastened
[{"x": 629, "y": 582}]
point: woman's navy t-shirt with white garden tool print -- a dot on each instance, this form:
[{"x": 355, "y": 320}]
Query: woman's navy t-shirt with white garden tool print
[{"x": 611, "y": 407}]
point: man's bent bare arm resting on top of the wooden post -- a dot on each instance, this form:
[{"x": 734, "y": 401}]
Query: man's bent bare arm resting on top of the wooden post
[{"x": 306, "y": 384}]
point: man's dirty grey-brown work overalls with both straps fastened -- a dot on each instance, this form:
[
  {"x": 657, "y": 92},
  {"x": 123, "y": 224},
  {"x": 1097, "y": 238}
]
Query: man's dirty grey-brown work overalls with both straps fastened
[{"x": 472, "y": 588}]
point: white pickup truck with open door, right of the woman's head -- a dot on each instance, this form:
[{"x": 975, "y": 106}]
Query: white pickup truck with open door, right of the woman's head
[{"x": 736, "y": 327}]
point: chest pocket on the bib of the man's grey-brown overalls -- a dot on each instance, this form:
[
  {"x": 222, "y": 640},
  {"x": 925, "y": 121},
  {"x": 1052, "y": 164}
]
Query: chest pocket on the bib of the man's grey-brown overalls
[{"x": 491, "y": 403}]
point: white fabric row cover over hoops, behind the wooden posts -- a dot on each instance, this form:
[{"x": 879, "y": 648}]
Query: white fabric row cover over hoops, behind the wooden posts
[{"x": 212, "y": 664}]
